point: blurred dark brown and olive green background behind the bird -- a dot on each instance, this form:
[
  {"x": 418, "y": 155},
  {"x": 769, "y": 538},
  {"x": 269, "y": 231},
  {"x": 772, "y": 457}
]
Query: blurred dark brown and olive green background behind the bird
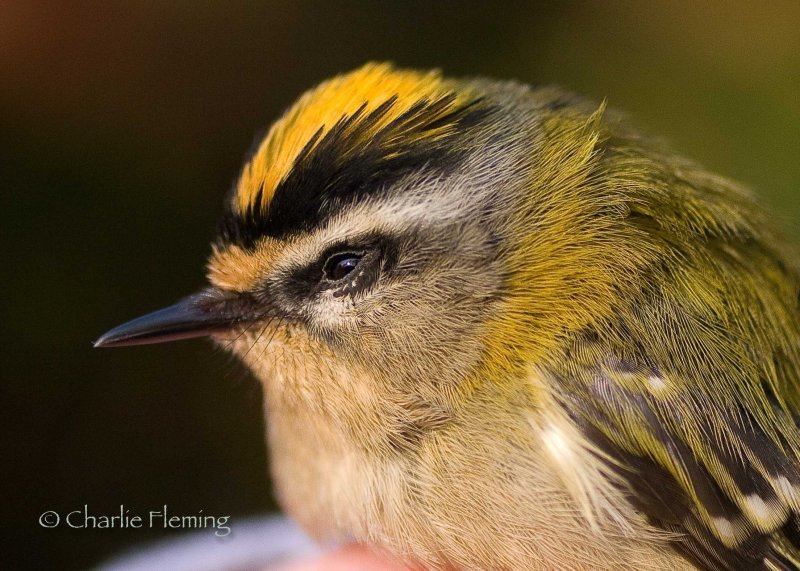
[{"x": 122, "y": 126}]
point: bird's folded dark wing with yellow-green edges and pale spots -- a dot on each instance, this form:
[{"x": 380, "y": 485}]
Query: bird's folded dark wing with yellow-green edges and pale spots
[{"x": 713, "y": 474}]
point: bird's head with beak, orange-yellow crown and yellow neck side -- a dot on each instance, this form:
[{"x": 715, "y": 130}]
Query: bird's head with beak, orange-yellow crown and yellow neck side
[{"x": 409, "y": 229}]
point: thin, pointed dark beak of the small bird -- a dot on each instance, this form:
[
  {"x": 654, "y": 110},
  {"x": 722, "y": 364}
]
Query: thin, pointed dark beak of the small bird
[{"x": 198, "y": 315}]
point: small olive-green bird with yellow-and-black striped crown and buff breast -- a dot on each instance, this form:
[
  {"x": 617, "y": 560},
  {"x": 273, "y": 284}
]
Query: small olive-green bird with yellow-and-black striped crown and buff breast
[{"x": 499, "y": 327}]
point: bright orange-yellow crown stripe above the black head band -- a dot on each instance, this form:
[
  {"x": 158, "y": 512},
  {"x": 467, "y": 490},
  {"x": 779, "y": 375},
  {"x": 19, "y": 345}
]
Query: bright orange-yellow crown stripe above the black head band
[{"x": 320, "y": 109}]
